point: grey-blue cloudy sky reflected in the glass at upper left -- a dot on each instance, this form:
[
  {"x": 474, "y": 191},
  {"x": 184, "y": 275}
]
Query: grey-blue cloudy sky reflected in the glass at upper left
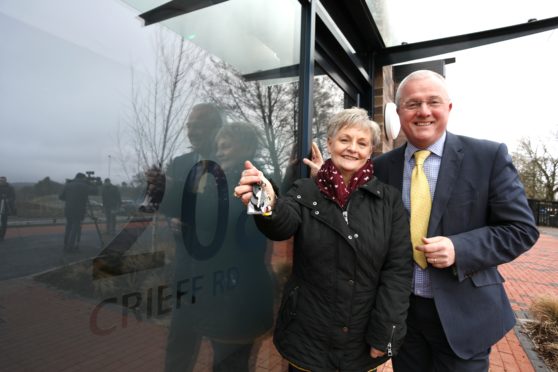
[{"x": 65, "y": 86}]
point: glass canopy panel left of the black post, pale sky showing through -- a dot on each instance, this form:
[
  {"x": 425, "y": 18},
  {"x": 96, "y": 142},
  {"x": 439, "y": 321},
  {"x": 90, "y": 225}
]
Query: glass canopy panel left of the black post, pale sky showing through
[{"x": 251, "y": 35}]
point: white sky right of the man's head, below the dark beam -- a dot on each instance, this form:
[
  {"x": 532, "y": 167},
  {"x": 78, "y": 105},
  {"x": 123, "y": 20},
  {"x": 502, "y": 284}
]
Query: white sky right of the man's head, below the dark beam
[{"x": 505, "y": 91}]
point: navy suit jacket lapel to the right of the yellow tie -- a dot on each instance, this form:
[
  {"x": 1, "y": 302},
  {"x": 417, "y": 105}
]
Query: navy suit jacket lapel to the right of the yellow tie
[{"x": 447, "y": 177}]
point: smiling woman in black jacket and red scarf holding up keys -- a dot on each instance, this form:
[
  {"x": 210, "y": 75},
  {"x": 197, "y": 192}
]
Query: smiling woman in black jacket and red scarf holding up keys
[{"x": 344, "y": 306}]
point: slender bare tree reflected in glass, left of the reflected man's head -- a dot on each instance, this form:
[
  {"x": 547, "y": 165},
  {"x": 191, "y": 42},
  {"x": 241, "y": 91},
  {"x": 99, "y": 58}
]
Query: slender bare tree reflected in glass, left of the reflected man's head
[{"x": 160, "y": 103}]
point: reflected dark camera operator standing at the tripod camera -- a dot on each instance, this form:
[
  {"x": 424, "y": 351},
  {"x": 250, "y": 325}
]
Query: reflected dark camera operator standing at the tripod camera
[{"x": 75, "y": 195}]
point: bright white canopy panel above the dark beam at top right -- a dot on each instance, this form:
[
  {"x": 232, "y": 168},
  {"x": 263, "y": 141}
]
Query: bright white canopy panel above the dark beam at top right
[{"x": 414, "y": 21}]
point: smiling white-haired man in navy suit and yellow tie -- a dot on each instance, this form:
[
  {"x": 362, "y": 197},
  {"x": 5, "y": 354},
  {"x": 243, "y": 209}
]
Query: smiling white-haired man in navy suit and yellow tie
[{"x": 479, "y": 219}]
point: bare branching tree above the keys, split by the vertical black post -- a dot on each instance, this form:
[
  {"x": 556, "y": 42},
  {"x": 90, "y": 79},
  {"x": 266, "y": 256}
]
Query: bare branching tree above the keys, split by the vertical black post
[{"x": 274, "y": 108}]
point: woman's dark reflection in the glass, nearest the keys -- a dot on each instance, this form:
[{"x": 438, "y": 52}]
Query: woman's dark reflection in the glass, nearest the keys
[{"x": 234, "y": 303}]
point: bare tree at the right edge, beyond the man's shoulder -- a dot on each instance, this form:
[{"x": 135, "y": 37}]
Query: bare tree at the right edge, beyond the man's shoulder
[{"x": 538, "y": 169}]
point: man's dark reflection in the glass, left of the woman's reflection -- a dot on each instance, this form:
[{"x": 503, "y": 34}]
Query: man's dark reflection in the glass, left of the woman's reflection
[{"x": 185, "y": 180}]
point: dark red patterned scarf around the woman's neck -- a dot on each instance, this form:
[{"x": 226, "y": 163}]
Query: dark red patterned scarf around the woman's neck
[{"x": 330, "y": 181}]
